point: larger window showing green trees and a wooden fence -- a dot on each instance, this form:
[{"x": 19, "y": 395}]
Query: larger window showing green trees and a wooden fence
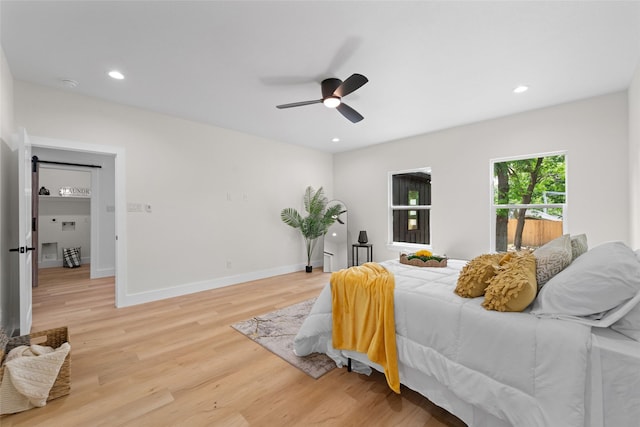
[{"x": 528, "y": 201}]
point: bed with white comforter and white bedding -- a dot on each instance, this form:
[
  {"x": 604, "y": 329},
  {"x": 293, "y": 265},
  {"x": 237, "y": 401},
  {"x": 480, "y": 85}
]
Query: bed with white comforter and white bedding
[{"x": 545, "y": 366}]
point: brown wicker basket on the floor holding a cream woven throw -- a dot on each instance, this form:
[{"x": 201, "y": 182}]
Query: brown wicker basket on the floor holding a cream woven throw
[{"x": 52, "y": 338}]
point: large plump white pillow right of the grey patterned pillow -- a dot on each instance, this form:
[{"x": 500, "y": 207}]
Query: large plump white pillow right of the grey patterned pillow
[{"x": 598, "y": 288}]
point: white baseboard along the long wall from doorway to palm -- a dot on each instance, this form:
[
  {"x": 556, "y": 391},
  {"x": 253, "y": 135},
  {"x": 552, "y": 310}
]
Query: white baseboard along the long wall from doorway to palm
[{"x": 205, "y": 285}]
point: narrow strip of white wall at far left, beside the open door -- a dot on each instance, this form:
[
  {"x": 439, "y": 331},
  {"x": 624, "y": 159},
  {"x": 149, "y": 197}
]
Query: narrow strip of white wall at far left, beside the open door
[{"x": 9, "y": 302}]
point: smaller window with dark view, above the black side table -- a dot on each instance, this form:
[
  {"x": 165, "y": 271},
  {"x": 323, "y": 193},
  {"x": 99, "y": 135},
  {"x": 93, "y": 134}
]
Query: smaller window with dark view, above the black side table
[{"x": 409, "y": 207}]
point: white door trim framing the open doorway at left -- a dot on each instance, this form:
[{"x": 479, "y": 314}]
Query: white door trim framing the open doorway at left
[{"x": 120, "y": 200}]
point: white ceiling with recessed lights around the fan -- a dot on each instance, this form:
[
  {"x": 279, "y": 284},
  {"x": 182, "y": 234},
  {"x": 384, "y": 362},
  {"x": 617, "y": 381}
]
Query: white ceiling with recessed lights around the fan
[{"x": 431, "y": 65}]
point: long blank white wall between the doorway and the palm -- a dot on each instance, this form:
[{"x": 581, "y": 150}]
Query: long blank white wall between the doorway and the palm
[{"x": 215, "y": 194}]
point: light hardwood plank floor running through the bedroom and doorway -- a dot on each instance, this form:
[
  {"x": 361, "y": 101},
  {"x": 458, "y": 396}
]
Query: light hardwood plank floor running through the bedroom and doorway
[{"x": 177, "y": 362}]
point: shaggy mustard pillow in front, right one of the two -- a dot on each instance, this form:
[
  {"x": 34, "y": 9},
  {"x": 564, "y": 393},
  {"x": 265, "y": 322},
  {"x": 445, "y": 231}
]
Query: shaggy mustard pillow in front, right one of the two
[{"x": 514, "y": 287}]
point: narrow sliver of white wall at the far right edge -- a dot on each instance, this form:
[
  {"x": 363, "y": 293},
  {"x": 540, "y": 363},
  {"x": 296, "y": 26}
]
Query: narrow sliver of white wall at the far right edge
[{"x": 634, "y": 158}]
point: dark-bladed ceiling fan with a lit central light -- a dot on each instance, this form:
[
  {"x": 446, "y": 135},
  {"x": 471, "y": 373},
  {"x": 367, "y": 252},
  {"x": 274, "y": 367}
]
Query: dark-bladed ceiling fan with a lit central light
[{"x": 332, "y": 92}]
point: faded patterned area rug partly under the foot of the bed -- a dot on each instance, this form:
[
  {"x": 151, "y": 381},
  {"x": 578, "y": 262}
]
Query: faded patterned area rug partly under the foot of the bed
[{"x": 275, "y": 331}]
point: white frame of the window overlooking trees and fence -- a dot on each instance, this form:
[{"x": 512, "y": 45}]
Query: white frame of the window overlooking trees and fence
[{"x": 493, "y": 207}]
